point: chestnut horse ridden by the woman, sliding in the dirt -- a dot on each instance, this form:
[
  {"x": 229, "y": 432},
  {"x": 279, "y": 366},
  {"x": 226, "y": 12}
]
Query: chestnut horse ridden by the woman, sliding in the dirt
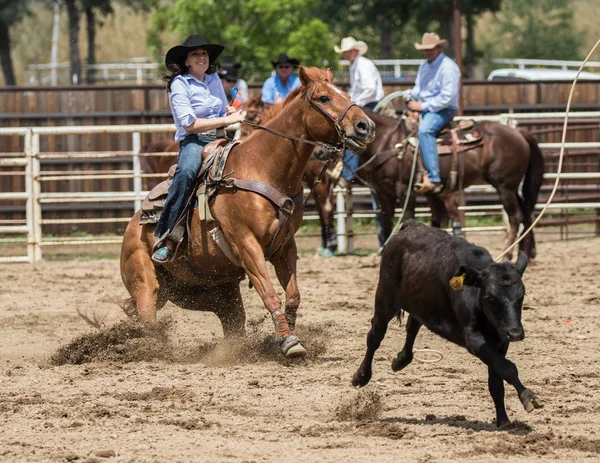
[{"x": 202, "y": 277}]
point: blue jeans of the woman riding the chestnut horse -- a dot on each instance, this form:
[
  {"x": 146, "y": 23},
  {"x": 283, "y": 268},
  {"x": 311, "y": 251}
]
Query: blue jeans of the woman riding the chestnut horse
[{"x": 188, "y": 166}]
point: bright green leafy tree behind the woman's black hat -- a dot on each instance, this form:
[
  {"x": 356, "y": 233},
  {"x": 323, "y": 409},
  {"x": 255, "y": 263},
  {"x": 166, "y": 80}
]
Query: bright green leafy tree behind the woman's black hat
[{"x": 254, "y": 31}]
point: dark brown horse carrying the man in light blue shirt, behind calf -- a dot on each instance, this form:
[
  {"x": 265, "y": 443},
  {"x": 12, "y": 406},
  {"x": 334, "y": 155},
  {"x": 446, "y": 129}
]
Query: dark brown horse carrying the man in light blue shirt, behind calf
[{"x": 507, "y": 158}]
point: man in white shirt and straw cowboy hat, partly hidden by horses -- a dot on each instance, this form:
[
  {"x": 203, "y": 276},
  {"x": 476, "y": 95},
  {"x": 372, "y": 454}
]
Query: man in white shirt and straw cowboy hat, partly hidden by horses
[{"x": 365, "y": 90}]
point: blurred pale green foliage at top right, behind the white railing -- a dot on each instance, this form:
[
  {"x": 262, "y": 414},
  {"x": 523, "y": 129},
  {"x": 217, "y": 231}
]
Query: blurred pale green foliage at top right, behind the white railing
[{"x": 536, "y": 29}]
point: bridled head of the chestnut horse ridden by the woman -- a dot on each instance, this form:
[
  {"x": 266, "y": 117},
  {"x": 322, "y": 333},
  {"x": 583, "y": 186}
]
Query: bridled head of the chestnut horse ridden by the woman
[{"x": 335, "y": 118}]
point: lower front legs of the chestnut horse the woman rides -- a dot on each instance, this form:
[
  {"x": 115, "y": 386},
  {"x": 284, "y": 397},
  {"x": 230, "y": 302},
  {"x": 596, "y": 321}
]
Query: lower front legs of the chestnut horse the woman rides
[{"x": 253, "y": 260}]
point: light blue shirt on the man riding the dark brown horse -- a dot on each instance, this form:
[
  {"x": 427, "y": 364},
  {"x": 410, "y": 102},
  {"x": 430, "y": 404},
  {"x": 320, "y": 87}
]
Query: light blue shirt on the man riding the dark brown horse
[{"x": 437, "y": 84}]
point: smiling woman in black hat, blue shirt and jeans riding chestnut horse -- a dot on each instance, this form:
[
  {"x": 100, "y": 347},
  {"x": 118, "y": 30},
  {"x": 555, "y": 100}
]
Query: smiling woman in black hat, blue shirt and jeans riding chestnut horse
[{"x": 199, "y": 107}]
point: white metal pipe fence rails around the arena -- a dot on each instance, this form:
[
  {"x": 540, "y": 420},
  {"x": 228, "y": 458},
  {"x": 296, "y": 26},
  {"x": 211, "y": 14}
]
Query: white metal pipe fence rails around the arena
[{"x": 35, "y": 198}]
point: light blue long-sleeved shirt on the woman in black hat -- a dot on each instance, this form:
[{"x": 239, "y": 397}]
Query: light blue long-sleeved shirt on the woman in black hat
[{"x": 191, "y": 99}]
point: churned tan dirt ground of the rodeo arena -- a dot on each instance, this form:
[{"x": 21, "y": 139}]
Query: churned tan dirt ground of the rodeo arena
[{"x": 186, "y": 395}]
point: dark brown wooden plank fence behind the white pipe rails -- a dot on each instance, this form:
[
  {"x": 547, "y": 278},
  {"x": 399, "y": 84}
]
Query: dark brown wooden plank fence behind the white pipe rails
[{"x": 124, "y": 105}]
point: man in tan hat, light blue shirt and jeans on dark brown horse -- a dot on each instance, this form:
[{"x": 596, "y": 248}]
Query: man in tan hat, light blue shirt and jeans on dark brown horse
[{"x": 435, "y": 95}]
